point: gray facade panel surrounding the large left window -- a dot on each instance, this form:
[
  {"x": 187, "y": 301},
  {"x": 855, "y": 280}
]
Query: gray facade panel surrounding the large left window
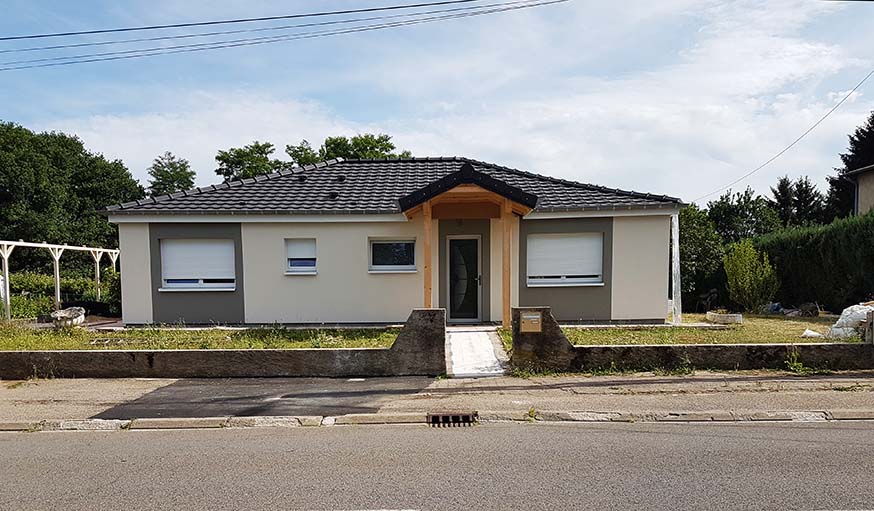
[{"x": 196, "y": 307}]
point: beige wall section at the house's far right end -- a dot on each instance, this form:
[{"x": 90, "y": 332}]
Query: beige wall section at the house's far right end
[{"x": 641, "y": 259}]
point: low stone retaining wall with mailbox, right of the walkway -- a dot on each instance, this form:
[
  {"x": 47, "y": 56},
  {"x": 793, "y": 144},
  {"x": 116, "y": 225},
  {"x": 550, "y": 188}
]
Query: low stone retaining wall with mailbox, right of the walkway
[{"x": 550, "y": 349}]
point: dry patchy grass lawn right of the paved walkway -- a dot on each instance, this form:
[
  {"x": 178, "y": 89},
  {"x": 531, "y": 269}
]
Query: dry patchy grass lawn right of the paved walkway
[{"x": 754, "y": 330}]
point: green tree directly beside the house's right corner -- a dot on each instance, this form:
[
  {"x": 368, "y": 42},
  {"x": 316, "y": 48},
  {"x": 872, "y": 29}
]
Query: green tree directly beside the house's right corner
[{"x": 701, "y": 248}]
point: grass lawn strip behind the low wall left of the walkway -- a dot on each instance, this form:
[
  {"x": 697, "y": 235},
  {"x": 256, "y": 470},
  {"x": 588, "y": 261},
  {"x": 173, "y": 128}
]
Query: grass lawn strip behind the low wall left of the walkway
[{"x": 18, "y": 338}]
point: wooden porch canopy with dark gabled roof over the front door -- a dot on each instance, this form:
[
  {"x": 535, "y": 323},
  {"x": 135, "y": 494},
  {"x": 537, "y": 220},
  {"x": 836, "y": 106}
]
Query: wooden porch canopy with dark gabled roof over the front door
[{"x": 469, "y": 193}]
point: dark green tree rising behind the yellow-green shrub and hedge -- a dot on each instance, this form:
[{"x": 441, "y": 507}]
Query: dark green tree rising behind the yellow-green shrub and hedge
[{"x": 742, "y": 215}]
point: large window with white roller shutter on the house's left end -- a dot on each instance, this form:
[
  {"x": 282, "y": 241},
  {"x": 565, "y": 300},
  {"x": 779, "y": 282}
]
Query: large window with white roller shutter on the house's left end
[{"x": 195, "y": 264}]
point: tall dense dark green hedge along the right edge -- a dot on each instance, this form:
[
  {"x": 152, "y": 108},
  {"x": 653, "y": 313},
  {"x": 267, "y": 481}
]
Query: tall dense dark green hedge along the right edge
[{"x": 832, "y": 265}]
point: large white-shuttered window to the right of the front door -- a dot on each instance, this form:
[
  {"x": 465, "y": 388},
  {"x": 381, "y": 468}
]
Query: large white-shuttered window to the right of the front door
[{"x": 565, "y": 259}]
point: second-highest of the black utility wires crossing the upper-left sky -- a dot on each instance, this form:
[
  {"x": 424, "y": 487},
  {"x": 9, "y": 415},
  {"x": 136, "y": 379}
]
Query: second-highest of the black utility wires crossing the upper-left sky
[{"x": 250, "y": 30}]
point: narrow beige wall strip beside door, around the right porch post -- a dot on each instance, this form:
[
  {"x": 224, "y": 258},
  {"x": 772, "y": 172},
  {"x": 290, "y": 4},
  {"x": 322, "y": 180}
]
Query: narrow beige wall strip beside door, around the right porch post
[{"x": 496, "y": 264}]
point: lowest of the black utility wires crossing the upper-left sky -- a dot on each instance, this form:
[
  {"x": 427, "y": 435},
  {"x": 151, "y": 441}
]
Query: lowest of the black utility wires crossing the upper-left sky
[{"x": 272, "y": 39}]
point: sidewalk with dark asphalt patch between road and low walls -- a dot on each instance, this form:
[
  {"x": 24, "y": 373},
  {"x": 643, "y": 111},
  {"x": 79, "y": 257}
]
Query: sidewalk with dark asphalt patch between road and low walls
[{"x": 702, "y": 396}]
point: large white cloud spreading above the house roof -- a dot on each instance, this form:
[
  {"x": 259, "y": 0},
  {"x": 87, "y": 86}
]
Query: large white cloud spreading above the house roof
[{"x": 745, "y": 80}]
